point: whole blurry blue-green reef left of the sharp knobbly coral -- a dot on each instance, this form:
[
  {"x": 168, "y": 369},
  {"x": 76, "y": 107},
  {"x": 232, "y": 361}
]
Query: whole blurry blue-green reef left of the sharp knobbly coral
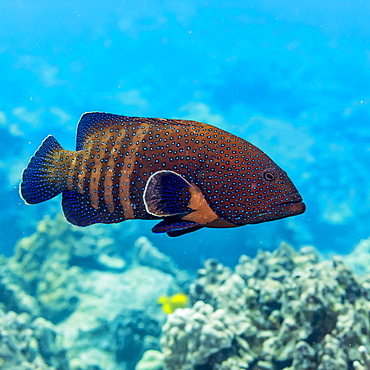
[{"x": 103, "y": 308}]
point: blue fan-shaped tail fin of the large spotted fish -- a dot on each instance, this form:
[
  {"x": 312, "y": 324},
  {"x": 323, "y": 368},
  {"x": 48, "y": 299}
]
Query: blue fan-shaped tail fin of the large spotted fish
[{"x": 42, "y": 178}]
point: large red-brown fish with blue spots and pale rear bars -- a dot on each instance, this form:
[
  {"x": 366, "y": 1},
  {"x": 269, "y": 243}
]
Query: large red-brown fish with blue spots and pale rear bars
[{"x": 186, "y": 174}]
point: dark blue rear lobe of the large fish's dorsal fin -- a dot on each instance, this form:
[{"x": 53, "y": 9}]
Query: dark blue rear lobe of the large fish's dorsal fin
[{"x": 90, "y": 123}]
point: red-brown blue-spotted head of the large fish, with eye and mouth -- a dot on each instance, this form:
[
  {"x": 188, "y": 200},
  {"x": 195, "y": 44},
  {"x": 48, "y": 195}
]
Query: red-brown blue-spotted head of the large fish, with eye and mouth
[{"x": 256, "y": 190}]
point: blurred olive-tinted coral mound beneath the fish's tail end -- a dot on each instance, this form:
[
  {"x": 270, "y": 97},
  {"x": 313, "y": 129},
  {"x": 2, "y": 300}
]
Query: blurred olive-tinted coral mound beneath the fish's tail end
[{"x": 51, "y": 263}]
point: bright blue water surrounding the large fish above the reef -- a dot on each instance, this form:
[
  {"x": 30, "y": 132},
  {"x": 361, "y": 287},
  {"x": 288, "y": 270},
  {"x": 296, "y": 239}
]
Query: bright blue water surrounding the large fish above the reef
[{"x": 291, "y": 77}]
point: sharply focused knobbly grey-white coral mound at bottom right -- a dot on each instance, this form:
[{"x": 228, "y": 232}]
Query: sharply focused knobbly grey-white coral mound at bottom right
[{"x": 280, "y": 310}]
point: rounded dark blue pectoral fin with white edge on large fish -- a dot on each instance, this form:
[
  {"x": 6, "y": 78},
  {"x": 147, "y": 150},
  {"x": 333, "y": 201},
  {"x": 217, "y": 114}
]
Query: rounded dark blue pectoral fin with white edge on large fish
[{"x": 167, "y": 194}]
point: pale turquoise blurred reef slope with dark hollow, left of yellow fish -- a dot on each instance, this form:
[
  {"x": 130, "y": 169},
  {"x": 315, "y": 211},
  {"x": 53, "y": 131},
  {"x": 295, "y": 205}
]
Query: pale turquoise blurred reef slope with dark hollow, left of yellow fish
[{"x": 117, "y": 317}]
